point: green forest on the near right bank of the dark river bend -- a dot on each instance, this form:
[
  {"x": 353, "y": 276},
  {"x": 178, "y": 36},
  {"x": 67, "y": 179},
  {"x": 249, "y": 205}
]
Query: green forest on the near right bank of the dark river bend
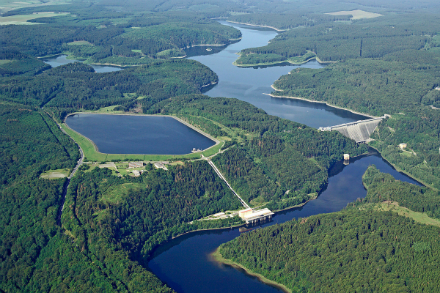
[{"x": 361, "y": 248}]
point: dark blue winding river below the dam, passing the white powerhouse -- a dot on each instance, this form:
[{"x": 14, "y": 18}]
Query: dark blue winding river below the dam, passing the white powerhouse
[{"x": 185, "y": 264}]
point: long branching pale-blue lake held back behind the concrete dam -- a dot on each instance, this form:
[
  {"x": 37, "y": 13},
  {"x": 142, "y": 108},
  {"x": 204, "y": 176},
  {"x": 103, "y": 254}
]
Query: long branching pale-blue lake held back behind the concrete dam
[{"x": 252, "y": 83}]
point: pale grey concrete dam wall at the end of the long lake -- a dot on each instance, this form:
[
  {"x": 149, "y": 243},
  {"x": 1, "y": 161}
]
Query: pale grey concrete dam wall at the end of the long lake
[{"x": 359, "y": 131}]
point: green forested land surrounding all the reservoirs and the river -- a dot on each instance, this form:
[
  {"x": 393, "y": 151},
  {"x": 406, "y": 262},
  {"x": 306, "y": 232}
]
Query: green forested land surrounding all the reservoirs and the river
[{"x": 110, "y": 224}]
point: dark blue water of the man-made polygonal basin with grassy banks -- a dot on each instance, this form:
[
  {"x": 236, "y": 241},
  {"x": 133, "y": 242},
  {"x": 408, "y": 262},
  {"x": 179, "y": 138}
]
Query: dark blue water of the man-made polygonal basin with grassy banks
[{"x": 126, "y": 134}]
